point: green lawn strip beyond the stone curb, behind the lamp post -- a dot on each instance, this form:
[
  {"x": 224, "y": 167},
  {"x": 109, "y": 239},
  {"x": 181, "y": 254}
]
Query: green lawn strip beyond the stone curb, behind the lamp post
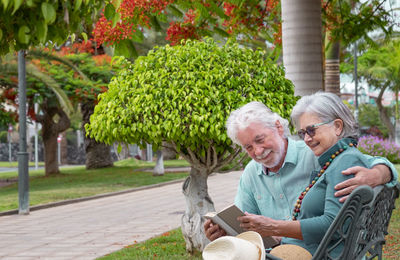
[{"x": 78, "y": 182}]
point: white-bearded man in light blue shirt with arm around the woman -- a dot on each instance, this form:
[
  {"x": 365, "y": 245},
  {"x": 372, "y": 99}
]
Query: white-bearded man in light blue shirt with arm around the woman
[{"x": 281, "y": 167}]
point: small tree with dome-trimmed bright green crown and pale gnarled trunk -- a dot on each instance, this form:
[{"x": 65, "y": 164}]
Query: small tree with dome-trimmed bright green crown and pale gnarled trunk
[{"x": 183, "y": 95}]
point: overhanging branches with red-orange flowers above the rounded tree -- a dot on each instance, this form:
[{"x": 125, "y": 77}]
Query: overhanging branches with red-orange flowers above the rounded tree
[{"x": 122, "y": 25}]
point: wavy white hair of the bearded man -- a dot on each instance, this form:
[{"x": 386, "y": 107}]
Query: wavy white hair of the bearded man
[{"x": 253, "y": 112}]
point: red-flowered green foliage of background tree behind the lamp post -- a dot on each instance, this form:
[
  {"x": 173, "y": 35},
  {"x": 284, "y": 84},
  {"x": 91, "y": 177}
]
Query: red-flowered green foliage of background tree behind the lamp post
[{"x": 74, "y": 71}]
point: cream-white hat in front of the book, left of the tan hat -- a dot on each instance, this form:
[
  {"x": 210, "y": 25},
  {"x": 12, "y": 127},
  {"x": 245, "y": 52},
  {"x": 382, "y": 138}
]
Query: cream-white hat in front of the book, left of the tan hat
[{"x": 247, "y": 245}]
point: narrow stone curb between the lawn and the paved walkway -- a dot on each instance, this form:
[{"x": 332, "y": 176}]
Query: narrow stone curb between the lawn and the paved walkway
[{"x": 104, "y": 195}]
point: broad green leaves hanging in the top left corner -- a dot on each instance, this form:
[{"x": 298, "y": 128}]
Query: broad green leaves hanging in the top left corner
[{"x": 33, "y": 22}]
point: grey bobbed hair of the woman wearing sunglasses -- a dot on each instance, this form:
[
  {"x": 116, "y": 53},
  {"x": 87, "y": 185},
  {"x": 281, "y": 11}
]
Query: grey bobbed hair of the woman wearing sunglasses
[{"x": 327, "y": 106}]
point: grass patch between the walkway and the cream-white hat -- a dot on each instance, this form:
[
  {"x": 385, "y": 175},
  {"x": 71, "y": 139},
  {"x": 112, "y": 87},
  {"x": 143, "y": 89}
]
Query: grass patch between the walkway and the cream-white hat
[{"x": 169, "y": 246}]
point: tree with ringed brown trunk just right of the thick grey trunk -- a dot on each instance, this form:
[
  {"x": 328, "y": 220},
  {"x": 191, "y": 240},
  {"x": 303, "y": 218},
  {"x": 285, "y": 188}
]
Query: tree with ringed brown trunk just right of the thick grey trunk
[{"x": 346, "y": 22}]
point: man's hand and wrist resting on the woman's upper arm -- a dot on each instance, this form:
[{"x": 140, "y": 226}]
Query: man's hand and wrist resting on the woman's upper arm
[{"x": 379, "y": 174}]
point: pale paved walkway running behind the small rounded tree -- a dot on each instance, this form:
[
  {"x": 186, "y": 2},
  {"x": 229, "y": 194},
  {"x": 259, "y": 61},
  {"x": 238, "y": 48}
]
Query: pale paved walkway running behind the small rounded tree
[{"x": 94, "y": 228}]
